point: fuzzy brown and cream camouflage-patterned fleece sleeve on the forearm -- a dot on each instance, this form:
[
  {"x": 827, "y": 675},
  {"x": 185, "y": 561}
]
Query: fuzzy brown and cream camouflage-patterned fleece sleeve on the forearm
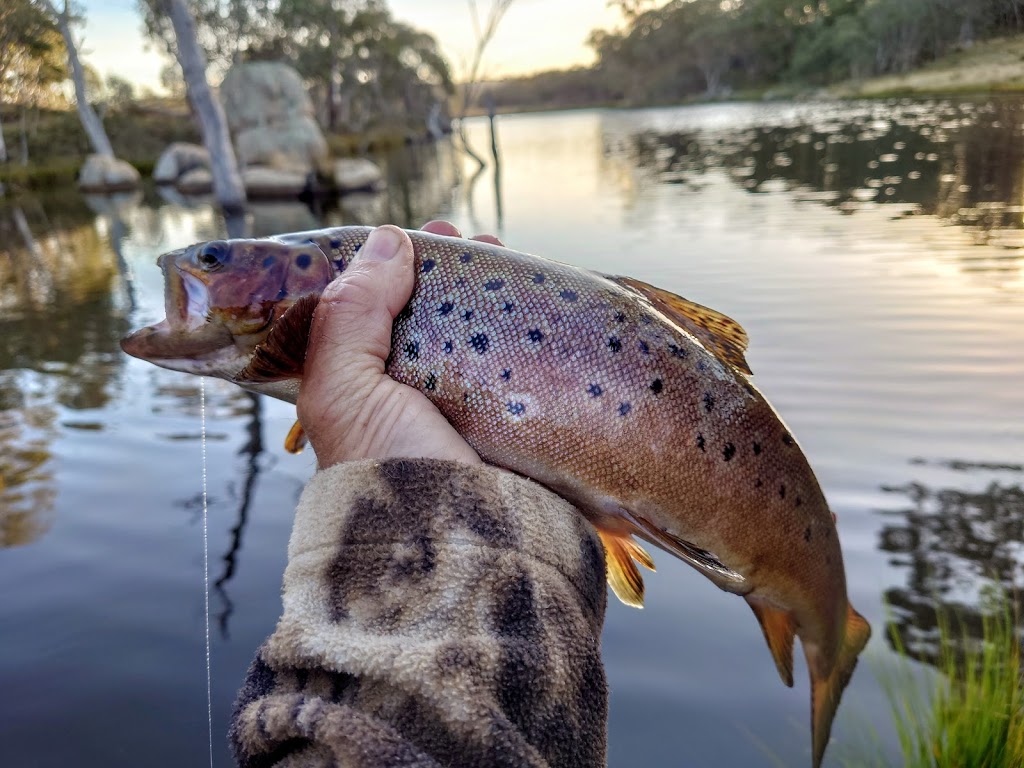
[{"x": 435, "y": 615}]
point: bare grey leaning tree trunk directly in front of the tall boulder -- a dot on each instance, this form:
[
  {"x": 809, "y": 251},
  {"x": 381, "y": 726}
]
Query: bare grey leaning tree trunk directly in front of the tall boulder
[{"x": 227, "y": 181}]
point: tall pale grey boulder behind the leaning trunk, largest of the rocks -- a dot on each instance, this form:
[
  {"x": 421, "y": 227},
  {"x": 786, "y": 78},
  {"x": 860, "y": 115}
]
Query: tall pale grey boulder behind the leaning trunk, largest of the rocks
[{"x": 272, "y": 118}]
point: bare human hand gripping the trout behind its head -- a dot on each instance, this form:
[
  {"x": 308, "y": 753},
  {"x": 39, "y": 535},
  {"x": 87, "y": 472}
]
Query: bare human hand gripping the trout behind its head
[{"x": 349, "y": 407}]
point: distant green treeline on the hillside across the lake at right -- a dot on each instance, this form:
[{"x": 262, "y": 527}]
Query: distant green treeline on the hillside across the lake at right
[{"x": 690, "y": 49}]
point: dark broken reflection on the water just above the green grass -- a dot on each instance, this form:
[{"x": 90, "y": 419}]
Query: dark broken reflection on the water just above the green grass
[{"x": 956, "y": 545}]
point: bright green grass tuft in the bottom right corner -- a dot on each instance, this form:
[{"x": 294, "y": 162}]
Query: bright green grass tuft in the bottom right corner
[{"x": 974, "y": 717}]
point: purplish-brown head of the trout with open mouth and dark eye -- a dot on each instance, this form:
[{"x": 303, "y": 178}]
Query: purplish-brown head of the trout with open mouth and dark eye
[{"x": 222, "y": 300}]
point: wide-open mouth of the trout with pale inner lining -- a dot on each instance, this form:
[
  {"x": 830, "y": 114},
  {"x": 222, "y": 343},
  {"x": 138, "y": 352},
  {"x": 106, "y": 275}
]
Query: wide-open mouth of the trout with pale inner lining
[{"x": 188, "y": 331}]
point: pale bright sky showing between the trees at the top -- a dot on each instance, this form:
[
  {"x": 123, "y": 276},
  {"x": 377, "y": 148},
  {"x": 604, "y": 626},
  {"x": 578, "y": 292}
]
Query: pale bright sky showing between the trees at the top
[{"x": 535, "y": 35}]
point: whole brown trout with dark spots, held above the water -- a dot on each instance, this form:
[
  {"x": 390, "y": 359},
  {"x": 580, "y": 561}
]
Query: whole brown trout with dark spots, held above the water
[{"x": 631, "y": 403}]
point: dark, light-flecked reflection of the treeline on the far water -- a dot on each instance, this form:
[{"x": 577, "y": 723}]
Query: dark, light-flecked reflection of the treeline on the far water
[{"x": 962, "y": 162}]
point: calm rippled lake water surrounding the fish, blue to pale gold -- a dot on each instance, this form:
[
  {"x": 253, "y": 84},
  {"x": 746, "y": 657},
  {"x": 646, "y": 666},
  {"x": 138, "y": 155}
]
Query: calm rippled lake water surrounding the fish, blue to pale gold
[{"x": 874, "y": 252}]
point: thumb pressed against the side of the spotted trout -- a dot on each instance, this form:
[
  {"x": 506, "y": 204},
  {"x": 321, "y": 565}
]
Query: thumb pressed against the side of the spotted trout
[{"x": 351, "y": 337}]
